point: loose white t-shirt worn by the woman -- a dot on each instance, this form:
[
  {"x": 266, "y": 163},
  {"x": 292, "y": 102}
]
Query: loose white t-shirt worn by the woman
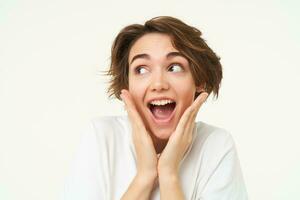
[{"x": 105, "y": 164}]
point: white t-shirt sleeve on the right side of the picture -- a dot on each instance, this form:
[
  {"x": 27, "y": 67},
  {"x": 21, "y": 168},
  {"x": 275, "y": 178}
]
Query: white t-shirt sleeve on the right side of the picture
[{"x": 225, "y": 179}]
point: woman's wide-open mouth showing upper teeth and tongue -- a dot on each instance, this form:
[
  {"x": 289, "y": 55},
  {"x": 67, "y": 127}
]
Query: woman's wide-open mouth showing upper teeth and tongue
[{"x": 162, "y": 110}]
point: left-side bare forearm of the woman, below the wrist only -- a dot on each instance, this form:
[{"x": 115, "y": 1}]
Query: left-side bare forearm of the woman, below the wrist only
[{"x": 140, "y": 188}]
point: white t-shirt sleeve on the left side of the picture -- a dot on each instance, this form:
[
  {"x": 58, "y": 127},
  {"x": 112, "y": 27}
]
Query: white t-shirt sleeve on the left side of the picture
[{"x": 85, "y": 179}]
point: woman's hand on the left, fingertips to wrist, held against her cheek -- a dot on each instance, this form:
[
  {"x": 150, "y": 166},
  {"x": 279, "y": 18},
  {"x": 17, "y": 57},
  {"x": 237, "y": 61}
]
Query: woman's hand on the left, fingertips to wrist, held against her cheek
[{"x": 146, "y": 155}]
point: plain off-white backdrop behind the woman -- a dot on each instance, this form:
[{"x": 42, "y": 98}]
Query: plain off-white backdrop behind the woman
[{"x": 52, "y": 54}]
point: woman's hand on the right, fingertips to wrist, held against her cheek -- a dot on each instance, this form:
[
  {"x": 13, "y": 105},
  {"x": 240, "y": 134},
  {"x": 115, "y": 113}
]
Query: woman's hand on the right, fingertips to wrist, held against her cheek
[{"x": 180, "y": 140}]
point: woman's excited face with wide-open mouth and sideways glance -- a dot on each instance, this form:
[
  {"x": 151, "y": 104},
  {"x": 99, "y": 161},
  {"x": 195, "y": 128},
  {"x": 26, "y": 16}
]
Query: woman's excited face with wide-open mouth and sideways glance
[{"x": 160, "y": 82}]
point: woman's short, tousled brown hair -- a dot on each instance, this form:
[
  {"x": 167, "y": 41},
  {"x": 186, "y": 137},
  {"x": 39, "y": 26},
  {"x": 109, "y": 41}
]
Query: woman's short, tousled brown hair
[{"x": 204, "y": 63}]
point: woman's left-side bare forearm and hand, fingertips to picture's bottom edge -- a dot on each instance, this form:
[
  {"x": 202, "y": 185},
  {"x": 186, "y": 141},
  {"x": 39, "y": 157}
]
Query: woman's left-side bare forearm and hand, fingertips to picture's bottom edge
[{"x": 146, "y": 158}]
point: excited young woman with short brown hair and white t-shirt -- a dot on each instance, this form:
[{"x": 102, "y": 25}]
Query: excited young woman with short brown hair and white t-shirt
[{"x": 163, "y": 71}]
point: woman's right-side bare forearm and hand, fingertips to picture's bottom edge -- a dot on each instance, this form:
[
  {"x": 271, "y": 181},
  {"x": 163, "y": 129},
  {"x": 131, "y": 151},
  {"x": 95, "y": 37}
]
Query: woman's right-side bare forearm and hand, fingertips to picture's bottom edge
[{"x": 178, "y": 144}]
